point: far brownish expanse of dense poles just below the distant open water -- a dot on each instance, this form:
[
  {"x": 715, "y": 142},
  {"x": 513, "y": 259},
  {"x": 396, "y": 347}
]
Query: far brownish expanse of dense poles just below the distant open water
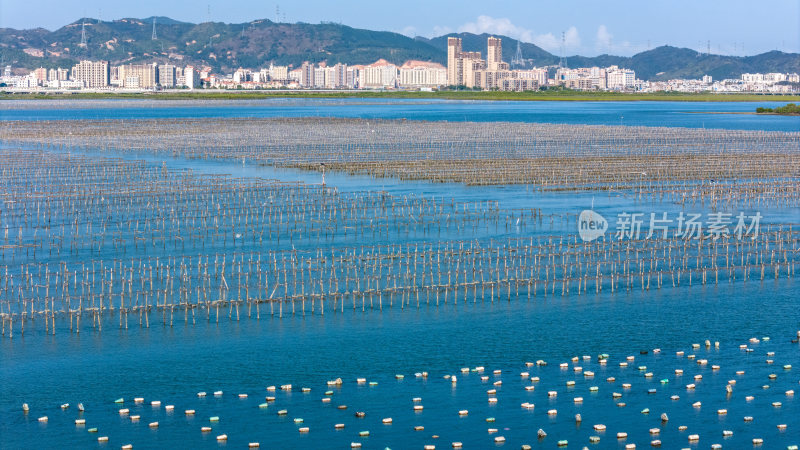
[{"x": 543, "y": 156}]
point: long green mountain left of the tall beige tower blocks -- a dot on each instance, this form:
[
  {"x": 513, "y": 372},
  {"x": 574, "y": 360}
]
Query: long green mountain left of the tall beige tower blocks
[{"x": 222, "y": 46}]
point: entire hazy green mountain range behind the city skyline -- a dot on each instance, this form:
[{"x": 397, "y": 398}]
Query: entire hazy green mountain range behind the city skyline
[{"x": 226, "y": 47}]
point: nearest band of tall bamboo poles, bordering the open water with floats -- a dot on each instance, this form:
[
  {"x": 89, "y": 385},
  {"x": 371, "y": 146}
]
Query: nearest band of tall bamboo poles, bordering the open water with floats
[{"x": 378, "y": 277}]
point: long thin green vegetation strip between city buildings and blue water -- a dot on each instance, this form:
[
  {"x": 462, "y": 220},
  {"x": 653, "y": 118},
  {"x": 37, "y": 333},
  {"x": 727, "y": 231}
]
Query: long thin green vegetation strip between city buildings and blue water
[{"x": 560, "y": 95}]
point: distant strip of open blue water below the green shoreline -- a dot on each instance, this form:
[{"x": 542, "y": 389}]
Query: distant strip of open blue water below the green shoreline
[{"x": 673, "y": 114}]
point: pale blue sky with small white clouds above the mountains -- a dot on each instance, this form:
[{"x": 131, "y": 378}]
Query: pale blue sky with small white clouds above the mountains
[{"x": 620, "y": 27}]
